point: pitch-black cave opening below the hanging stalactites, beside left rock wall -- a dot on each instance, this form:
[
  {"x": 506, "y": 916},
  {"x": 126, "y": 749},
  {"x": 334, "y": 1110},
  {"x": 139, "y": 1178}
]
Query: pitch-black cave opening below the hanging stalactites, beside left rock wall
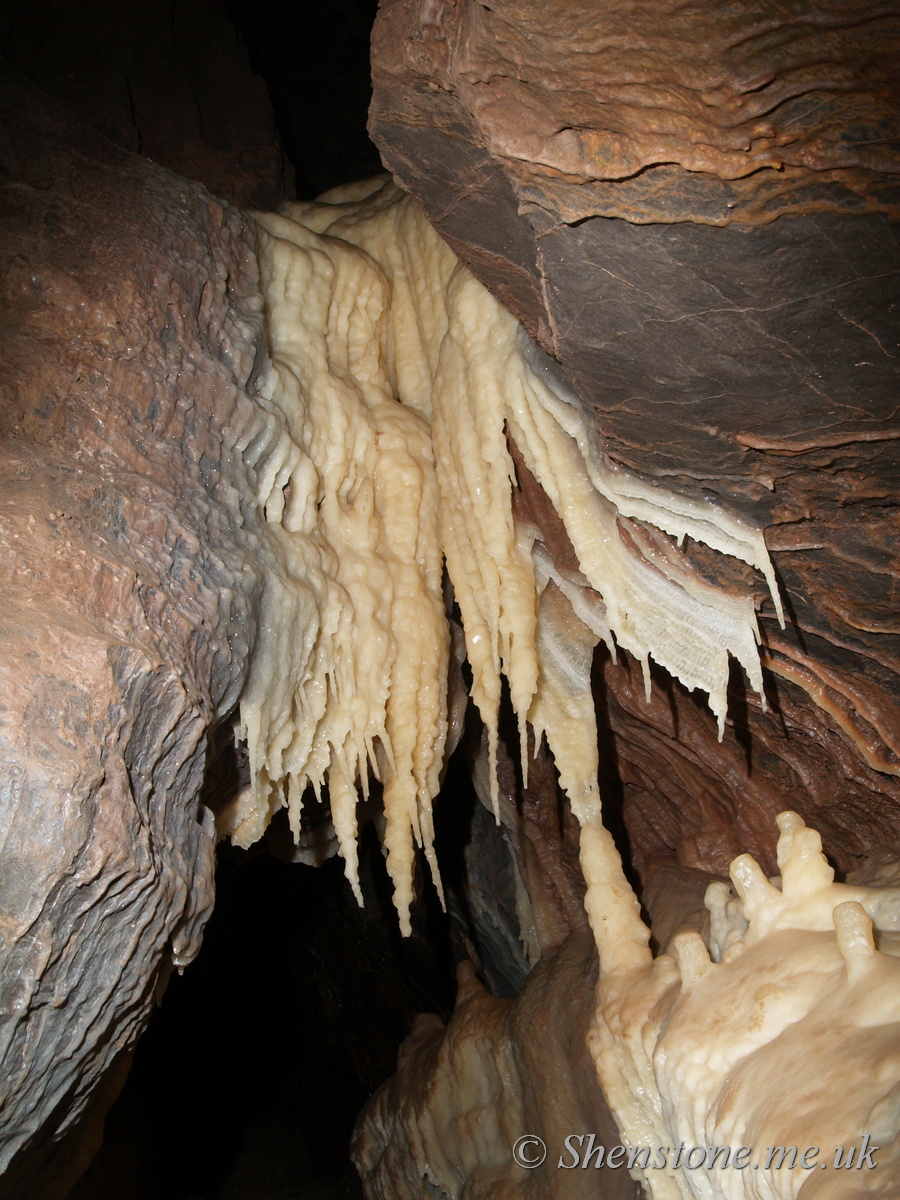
[{"x": 253, "y": 1072}]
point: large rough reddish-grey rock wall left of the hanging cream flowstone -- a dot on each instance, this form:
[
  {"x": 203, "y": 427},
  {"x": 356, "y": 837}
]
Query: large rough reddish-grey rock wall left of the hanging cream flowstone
[{"x": 129, "y": 331}]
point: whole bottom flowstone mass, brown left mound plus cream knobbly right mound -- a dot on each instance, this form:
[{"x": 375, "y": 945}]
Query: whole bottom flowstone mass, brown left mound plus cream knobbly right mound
[{"x": 783, "y": 1039}]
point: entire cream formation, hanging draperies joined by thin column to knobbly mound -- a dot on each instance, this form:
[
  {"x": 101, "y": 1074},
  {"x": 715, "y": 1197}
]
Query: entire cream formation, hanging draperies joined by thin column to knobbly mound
[{"x": 394, "y": 383}]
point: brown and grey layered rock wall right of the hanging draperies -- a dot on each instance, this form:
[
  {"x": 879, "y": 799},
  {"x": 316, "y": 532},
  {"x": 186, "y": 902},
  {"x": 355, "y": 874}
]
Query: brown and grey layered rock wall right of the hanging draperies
[{"x": 584, "y": 160}]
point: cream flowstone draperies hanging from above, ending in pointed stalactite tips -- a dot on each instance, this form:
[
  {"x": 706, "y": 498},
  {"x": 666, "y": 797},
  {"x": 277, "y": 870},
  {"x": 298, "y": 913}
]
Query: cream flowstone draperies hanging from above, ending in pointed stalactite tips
[{"x": 394, "y": 376}]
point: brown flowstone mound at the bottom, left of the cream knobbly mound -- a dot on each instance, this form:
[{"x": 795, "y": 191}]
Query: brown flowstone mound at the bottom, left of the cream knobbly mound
[{"x": 461, "y": 1099}]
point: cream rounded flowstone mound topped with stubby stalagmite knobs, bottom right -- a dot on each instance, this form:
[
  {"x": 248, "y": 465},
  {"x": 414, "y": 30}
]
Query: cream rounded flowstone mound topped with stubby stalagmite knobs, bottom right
[{"x": 784, "y": 1033}]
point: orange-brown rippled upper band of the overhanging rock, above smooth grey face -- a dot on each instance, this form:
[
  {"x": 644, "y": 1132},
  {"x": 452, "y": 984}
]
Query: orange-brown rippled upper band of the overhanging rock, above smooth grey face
[{"x": 649, "y": 112}]
